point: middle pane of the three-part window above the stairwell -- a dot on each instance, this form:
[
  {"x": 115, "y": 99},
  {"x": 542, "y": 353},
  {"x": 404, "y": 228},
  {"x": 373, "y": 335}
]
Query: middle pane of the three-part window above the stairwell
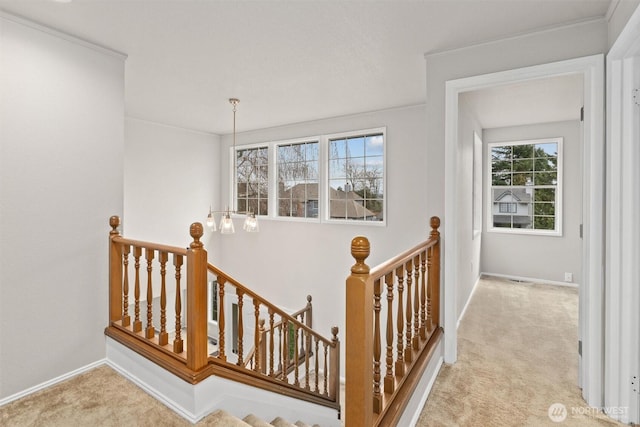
[{"x": 298, "y": 179}]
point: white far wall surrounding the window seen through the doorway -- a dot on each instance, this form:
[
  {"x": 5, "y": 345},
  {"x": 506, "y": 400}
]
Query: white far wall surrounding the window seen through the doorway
[{"x": 540, "y": 257}]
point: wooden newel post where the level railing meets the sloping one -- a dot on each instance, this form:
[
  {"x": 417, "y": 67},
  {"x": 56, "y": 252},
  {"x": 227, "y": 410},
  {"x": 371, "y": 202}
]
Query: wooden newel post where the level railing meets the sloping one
[{"x": 197, "y": 347}]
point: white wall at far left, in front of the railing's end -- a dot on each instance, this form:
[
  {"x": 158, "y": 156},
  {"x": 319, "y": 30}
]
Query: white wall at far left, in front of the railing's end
[{"x": 61, "y": 164}]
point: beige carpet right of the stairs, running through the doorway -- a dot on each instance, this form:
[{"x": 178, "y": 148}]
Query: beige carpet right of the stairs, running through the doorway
[{"x": 517, "y": 356}]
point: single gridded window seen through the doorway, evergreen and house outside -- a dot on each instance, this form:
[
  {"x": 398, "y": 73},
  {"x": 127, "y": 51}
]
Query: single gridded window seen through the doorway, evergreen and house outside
[{"x": 525, "y": 179}]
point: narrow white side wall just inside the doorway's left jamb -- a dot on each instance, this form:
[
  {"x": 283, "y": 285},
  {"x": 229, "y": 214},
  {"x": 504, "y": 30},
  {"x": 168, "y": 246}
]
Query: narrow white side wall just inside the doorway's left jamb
[{"x": 468, "y": 244}]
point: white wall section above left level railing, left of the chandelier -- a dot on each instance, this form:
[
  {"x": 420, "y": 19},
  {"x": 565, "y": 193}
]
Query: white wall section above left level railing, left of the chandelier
[{"x": 171, "y": 177}]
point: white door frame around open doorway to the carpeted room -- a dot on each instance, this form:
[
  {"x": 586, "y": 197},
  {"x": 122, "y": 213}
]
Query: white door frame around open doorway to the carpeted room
[{"x": 591, "y": 322}]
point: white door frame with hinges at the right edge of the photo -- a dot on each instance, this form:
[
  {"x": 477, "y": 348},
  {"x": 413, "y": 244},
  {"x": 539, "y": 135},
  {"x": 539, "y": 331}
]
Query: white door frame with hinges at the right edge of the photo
[{"x": 622, "y": 336}]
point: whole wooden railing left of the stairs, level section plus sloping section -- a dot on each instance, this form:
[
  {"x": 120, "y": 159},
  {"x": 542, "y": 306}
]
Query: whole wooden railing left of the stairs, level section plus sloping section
[{"x": 148, "y": 315}]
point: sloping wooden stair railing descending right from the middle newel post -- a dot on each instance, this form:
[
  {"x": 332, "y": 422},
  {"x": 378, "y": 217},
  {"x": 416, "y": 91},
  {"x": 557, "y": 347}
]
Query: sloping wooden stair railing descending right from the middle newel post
[{"x": 290, "y": 353}]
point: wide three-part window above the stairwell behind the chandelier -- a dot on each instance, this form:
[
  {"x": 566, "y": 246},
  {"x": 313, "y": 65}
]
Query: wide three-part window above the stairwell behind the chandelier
[{"x": 338, "y": 178}]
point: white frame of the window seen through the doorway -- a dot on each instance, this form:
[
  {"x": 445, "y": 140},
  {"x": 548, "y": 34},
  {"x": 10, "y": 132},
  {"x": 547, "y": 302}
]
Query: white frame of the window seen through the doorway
[{"x": 559, "y": 197}]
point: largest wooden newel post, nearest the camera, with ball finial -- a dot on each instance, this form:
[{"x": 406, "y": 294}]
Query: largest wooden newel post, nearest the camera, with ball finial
[{"x": 359, "y": 339}]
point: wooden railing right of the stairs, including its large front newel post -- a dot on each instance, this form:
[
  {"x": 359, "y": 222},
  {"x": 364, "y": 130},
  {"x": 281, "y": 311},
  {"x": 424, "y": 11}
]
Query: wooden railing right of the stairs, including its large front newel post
[{"x": 388, "y": 346}]
